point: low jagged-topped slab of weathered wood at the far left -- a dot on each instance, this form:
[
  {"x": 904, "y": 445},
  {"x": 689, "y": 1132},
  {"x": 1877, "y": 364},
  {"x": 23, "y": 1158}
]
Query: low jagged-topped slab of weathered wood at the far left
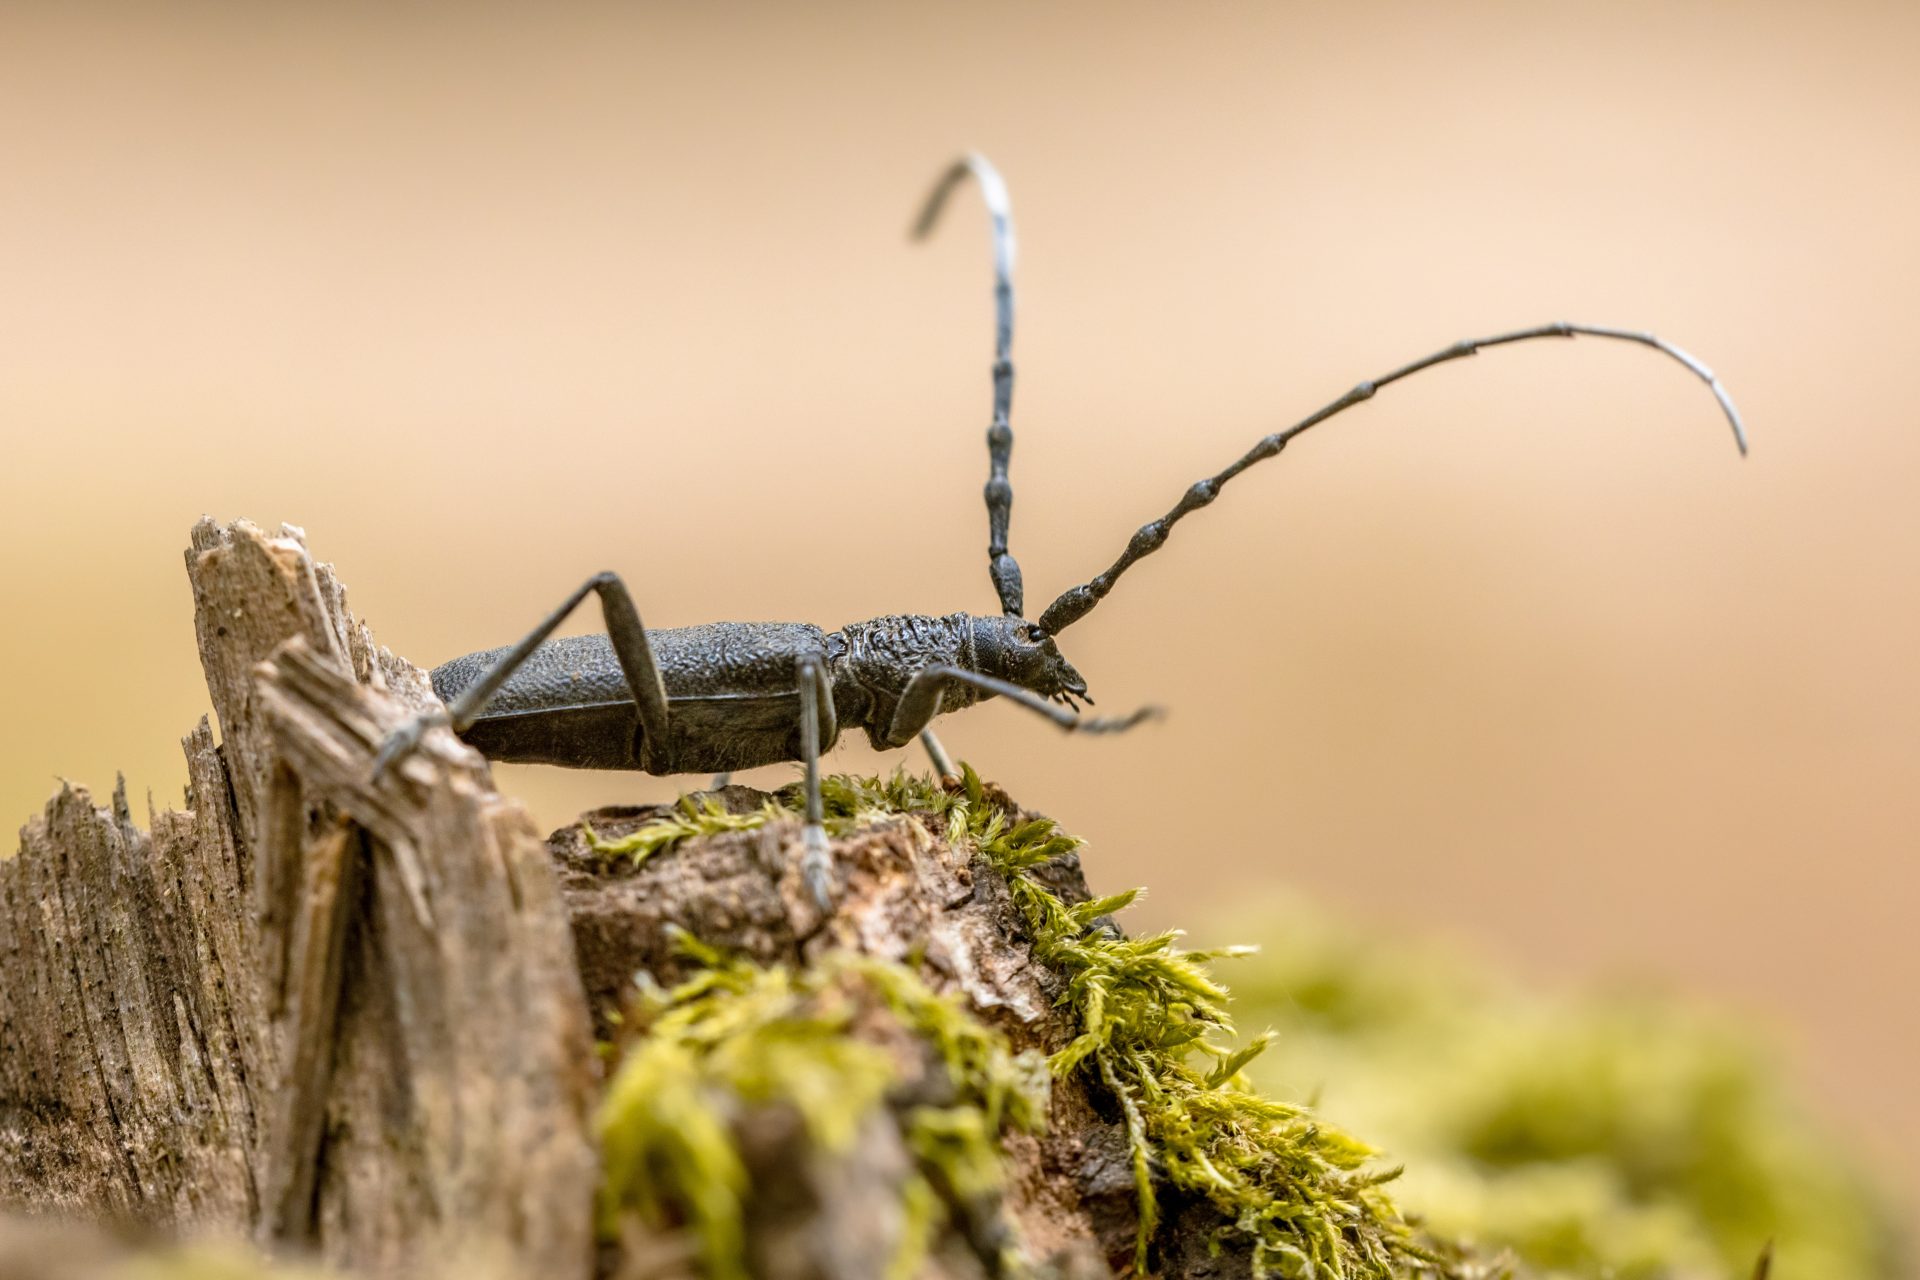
[{"x": 112, "y": 1099}]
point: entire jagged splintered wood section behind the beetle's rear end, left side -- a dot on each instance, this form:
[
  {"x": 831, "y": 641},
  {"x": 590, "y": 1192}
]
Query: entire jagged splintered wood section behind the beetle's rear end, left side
[{"x": 300, "y": 962}]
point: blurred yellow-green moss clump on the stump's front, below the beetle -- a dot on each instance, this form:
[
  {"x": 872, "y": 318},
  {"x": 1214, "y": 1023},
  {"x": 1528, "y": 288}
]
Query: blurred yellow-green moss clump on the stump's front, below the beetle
[{"x": 738, "y": 1037}]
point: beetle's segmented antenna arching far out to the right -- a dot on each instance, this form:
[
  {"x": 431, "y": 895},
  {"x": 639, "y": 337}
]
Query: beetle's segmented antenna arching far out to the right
[{"x": 1078, "y": 602}]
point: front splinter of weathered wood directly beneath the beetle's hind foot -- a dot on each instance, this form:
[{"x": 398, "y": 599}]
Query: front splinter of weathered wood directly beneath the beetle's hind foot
[{"x": 475, "y": 1031}]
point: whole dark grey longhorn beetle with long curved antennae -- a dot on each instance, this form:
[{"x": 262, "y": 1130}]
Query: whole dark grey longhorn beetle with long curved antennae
[{"x": 732, "y": 696}]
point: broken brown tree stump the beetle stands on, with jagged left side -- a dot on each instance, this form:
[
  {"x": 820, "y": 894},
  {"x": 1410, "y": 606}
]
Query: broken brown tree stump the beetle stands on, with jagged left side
[{"x": 358, "y": 1020}]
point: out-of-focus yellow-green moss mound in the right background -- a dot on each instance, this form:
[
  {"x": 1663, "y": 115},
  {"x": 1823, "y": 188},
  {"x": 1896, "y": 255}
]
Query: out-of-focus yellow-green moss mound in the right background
[{"x": 1614, "y": 1135}]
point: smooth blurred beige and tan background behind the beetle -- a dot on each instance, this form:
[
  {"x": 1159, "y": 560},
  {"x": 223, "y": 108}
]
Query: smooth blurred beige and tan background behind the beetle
[{"x": 1520, "y": 655}]
